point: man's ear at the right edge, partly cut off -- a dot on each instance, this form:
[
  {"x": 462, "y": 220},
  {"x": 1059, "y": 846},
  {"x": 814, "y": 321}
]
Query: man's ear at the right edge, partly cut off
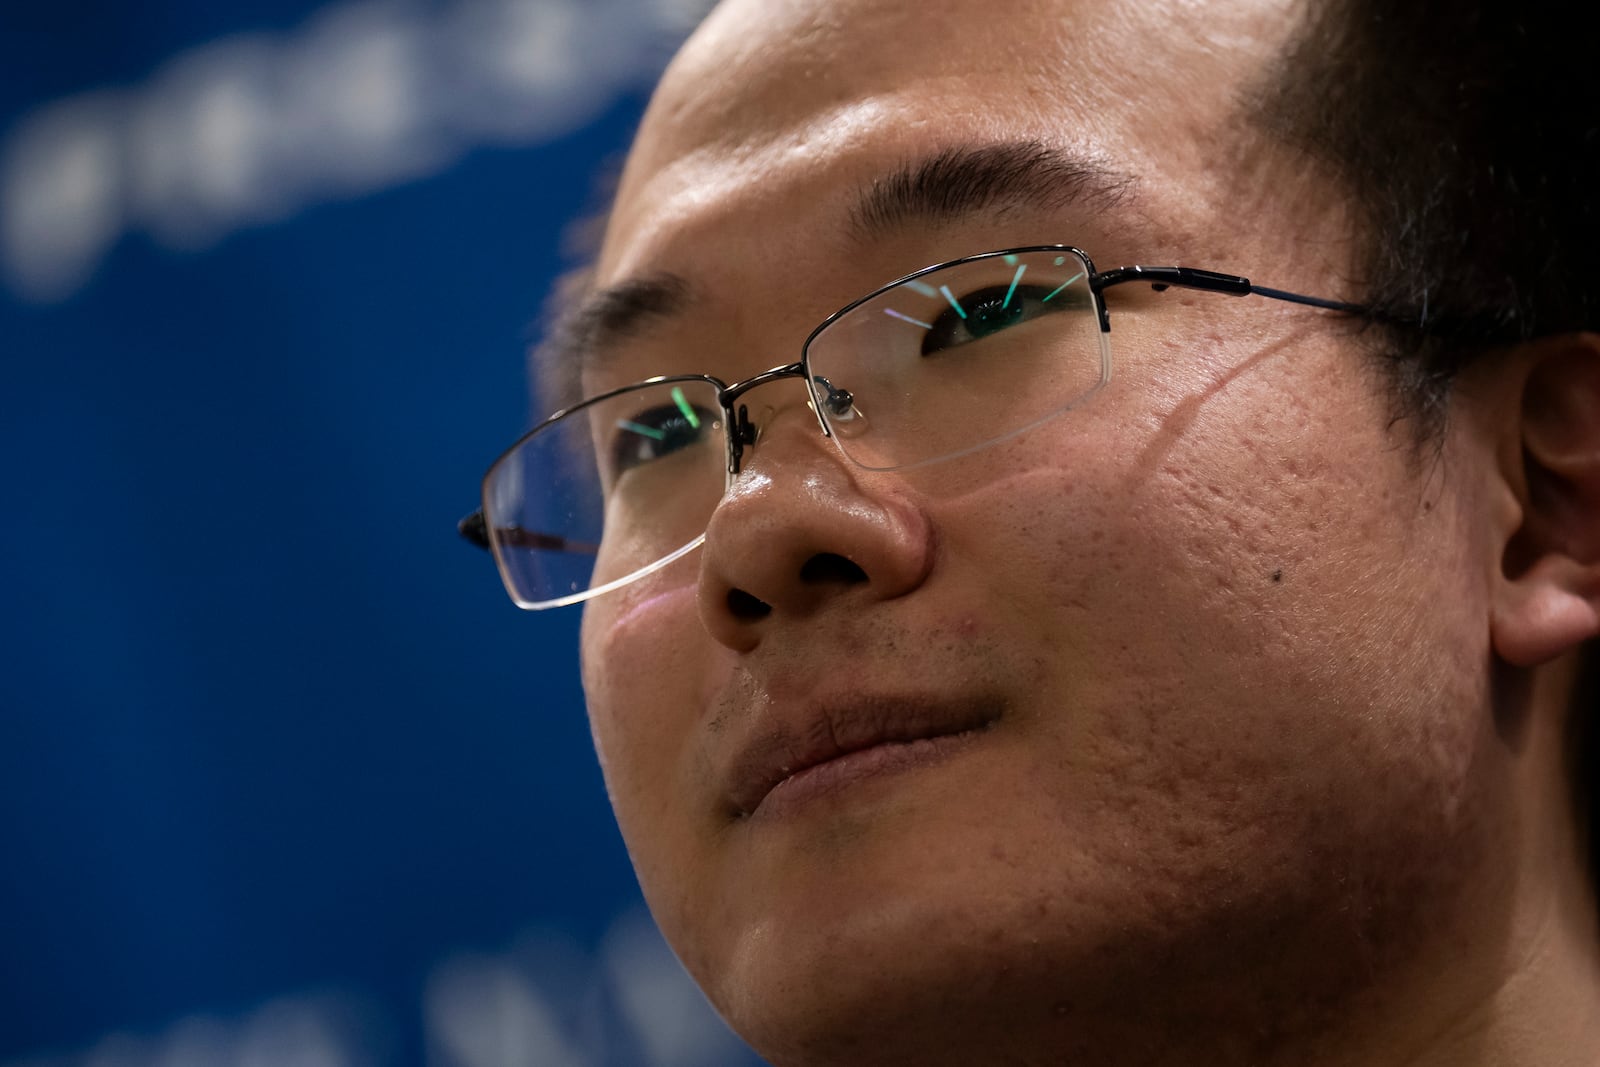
[{"x": 1548, "y": 599}]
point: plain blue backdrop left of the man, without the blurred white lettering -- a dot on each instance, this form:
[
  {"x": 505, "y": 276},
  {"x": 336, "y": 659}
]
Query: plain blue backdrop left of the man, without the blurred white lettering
[{"x": 266, "y": 725}]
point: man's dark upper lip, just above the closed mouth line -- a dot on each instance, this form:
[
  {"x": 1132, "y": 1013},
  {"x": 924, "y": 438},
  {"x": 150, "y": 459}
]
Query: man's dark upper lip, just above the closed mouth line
[{"x": 783, "y": 746}]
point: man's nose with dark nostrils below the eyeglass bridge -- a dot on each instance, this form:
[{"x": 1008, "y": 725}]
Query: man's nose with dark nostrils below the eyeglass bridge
[{"x": 802, "y": 532}]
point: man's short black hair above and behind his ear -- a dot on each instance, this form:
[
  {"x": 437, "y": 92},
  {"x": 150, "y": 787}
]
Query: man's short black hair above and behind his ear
[{"x": 1466, "y": 135}]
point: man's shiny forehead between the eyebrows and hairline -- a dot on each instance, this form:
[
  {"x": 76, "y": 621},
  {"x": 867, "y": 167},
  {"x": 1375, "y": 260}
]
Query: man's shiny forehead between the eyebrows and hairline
[{"x": 783, "y": 108}]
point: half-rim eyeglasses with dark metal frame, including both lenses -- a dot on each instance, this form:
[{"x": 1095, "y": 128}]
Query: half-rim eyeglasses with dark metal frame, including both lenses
[{"x": 937, "y": 366}]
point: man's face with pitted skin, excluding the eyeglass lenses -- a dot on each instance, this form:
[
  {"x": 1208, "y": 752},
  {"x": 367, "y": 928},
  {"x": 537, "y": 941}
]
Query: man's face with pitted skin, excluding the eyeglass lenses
[{"x": 1182, "y": 658}]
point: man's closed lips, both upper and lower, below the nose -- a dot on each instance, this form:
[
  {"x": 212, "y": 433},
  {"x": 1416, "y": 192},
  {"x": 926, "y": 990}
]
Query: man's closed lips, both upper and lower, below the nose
[{"x": 865, "y": 735}]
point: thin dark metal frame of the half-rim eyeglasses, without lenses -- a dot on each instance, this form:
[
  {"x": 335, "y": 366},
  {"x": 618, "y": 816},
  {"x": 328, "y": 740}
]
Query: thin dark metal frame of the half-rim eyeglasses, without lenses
[{"x": 742, "y": 433}]
